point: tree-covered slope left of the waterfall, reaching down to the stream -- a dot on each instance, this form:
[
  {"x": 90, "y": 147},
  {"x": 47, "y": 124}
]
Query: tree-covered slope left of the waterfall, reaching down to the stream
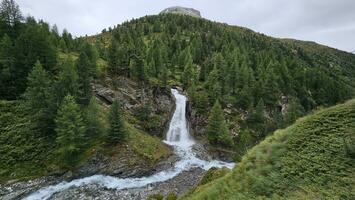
[{"x": 49, "y": 119}]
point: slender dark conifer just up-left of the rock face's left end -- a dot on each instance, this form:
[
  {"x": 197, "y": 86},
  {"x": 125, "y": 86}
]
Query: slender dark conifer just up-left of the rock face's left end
[{"x": 84, "y": 87}]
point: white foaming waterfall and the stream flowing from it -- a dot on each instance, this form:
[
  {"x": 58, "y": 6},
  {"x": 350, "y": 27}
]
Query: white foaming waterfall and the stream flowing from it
[{"x": 177, "y": 136}]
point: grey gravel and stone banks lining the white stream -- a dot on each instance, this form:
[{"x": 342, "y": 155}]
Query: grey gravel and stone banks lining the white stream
[{"x": 178, "y": 185}]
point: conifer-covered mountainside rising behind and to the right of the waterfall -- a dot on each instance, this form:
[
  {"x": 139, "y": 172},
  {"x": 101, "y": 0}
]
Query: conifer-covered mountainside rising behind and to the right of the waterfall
[{"x": 249, "y": 73}]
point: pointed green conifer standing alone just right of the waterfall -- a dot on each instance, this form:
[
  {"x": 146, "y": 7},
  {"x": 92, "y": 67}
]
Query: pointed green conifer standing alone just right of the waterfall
[{"x": 217, "y": 130}]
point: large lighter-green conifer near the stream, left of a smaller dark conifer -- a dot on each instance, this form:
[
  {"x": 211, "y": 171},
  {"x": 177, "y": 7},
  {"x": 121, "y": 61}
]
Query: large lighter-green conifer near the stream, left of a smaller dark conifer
[{"x": 70, "y": 130}]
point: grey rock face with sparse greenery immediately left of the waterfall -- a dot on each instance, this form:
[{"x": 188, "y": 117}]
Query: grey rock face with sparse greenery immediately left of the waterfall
[{"x": 150, "y": 107}]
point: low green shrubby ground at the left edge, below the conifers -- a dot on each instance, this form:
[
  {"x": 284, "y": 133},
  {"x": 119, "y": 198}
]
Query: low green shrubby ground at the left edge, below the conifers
[{"x": 22, "y": 153}]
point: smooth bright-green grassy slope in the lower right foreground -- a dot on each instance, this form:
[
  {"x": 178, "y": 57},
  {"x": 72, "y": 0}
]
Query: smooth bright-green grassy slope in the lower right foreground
[{"x": 307, "y": 160}]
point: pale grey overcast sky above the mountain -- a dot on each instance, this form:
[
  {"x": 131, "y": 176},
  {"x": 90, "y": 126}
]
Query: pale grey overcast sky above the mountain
[{"x": 329, "y": 22}]
